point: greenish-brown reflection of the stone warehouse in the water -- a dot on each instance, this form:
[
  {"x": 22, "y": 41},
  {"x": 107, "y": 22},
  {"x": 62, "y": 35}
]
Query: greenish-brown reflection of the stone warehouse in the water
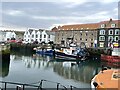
[{"x": 82, "y": 72}]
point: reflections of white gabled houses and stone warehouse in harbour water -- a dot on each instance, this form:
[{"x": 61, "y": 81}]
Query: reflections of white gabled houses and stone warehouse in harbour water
[{"x": 70, "y": 70}]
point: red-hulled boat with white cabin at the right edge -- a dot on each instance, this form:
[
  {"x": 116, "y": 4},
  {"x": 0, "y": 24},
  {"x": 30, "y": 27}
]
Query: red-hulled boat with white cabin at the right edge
[{"x": 115, "y": 57}]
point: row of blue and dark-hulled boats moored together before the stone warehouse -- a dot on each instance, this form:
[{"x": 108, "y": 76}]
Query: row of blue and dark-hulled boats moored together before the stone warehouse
[{"x": 70, "y": 53}]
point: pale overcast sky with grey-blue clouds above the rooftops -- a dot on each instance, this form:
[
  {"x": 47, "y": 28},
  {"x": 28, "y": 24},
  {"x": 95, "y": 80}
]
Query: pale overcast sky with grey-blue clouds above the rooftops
[{"x": 49, "y": 14}]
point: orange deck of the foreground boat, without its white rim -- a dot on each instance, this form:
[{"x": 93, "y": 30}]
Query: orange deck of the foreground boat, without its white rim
[{"x": 108, "y": 79}]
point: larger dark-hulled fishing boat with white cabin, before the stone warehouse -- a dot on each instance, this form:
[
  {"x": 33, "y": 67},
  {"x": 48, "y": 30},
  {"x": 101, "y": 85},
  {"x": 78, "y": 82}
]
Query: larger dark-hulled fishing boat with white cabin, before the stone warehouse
[{"x": 72, "y": 53}]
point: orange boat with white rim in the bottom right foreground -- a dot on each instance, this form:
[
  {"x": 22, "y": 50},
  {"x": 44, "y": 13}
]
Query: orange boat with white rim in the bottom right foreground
[{"x": 106, "y": 79}]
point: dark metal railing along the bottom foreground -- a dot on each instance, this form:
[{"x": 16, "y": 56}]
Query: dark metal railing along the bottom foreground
[{"x": 23, "y": 86}]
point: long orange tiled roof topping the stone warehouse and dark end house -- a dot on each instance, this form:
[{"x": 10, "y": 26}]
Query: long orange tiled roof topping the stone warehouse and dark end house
[{"x": 90, "y": 26}]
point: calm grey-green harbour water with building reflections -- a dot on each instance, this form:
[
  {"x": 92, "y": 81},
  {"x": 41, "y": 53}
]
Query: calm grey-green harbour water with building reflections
[{"x": 33, "y": 68}]
